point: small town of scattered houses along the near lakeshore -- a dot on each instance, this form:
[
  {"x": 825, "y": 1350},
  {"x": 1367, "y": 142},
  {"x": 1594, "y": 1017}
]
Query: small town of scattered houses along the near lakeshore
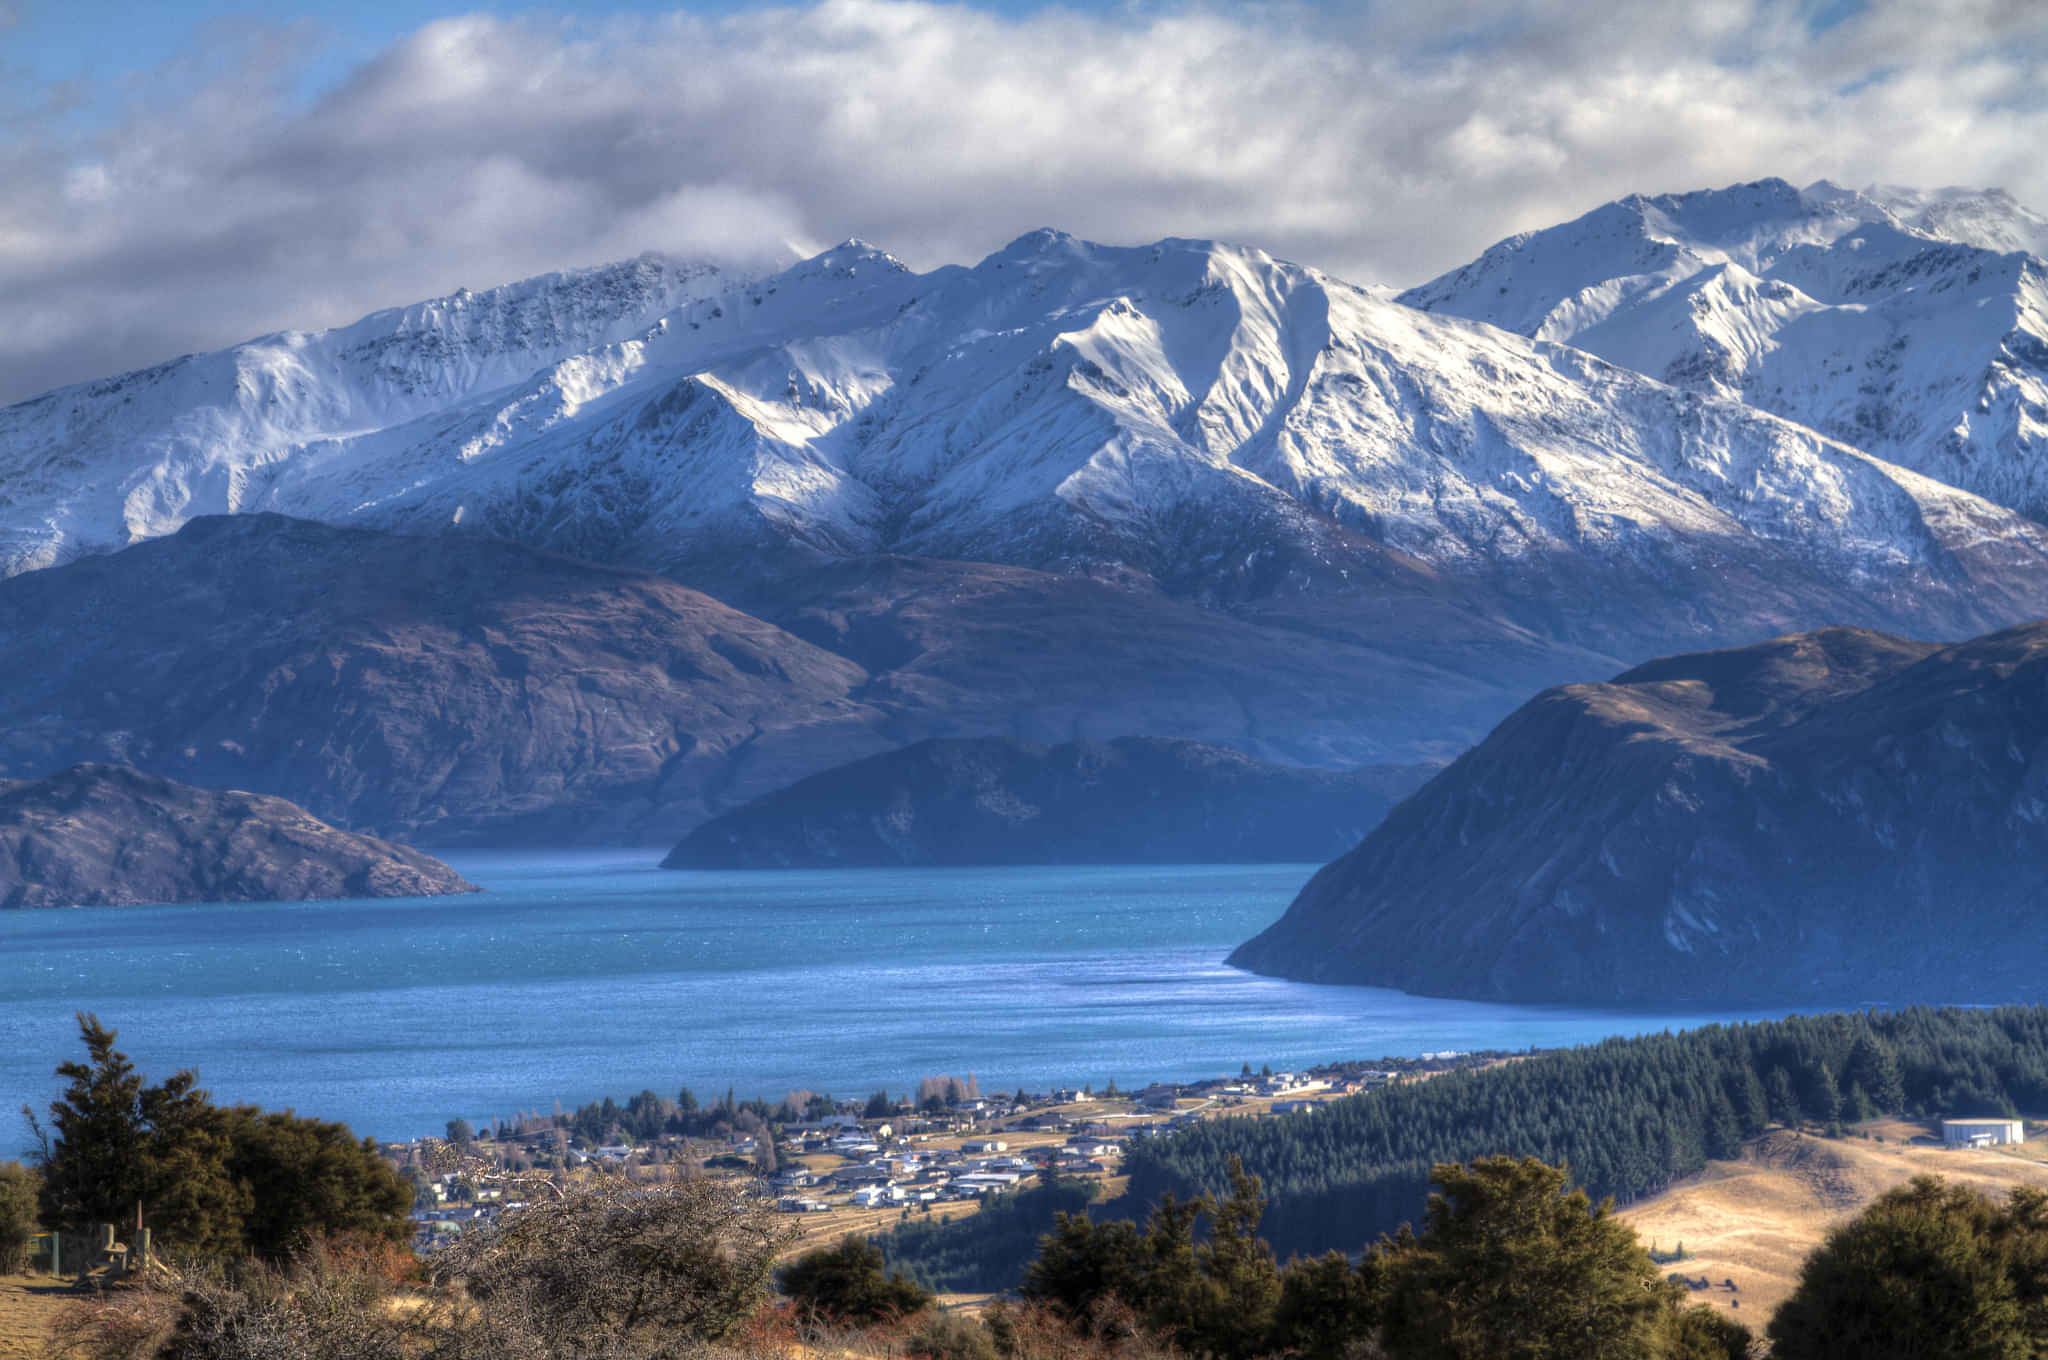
[{"x": 857, "y": 1164}]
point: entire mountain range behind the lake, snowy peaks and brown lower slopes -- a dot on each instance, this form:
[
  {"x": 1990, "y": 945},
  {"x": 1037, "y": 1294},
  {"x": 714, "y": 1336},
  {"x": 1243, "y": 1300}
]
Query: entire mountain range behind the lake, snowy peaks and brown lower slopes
[{"x": 1070, "y": 493}]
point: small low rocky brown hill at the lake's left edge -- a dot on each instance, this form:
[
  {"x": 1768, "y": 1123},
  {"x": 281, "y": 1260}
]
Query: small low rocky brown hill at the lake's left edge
[{"x": 97, "y": 837}]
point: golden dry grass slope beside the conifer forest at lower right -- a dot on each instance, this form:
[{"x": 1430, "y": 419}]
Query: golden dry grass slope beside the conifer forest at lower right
[{"x": 1756, "y": 1220}]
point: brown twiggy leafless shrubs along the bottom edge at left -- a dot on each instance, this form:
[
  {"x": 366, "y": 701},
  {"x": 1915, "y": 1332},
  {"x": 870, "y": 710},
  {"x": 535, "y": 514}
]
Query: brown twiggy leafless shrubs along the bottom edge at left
[{"x": 605, "y": 1273}]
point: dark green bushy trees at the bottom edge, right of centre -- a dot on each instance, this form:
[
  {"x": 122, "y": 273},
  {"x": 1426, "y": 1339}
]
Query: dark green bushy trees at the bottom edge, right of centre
[{"x": 1510, "y": 1265}]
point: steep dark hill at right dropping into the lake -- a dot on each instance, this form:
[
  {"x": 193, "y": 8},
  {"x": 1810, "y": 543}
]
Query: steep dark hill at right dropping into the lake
[{"x": 1834, "y": 816}]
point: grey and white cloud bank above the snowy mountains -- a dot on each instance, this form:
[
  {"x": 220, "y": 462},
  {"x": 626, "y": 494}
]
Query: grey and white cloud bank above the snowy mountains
[{"x": 1383, "y": 142}]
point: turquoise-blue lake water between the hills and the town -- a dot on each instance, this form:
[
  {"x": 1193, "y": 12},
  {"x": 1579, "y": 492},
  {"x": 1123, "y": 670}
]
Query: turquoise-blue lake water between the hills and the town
[{"x": 587, "y": 976}]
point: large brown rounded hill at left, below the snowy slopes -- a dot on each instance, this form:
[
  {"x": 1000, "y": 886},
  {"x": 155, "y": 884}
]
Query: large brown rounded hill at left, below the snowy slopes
[{"x": 441, "y": 689}]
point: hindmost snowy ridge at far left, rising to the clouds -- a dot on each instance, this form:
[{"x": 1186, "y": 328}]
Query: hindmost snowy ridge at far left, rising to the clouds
[{"x": 136, "y": 456}]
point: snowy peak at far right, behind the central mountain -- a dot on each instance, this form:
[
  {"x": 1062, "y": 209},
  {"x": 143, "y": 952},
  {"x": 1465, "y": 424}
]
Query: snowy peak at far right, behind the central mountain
[{"x": 1910, "y": 325}]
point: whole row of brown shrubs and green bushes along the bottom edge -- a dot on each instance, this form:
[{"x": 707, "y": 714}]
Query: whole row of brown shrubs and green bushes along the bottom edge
[{"x": 1508, "y": 1265}]
